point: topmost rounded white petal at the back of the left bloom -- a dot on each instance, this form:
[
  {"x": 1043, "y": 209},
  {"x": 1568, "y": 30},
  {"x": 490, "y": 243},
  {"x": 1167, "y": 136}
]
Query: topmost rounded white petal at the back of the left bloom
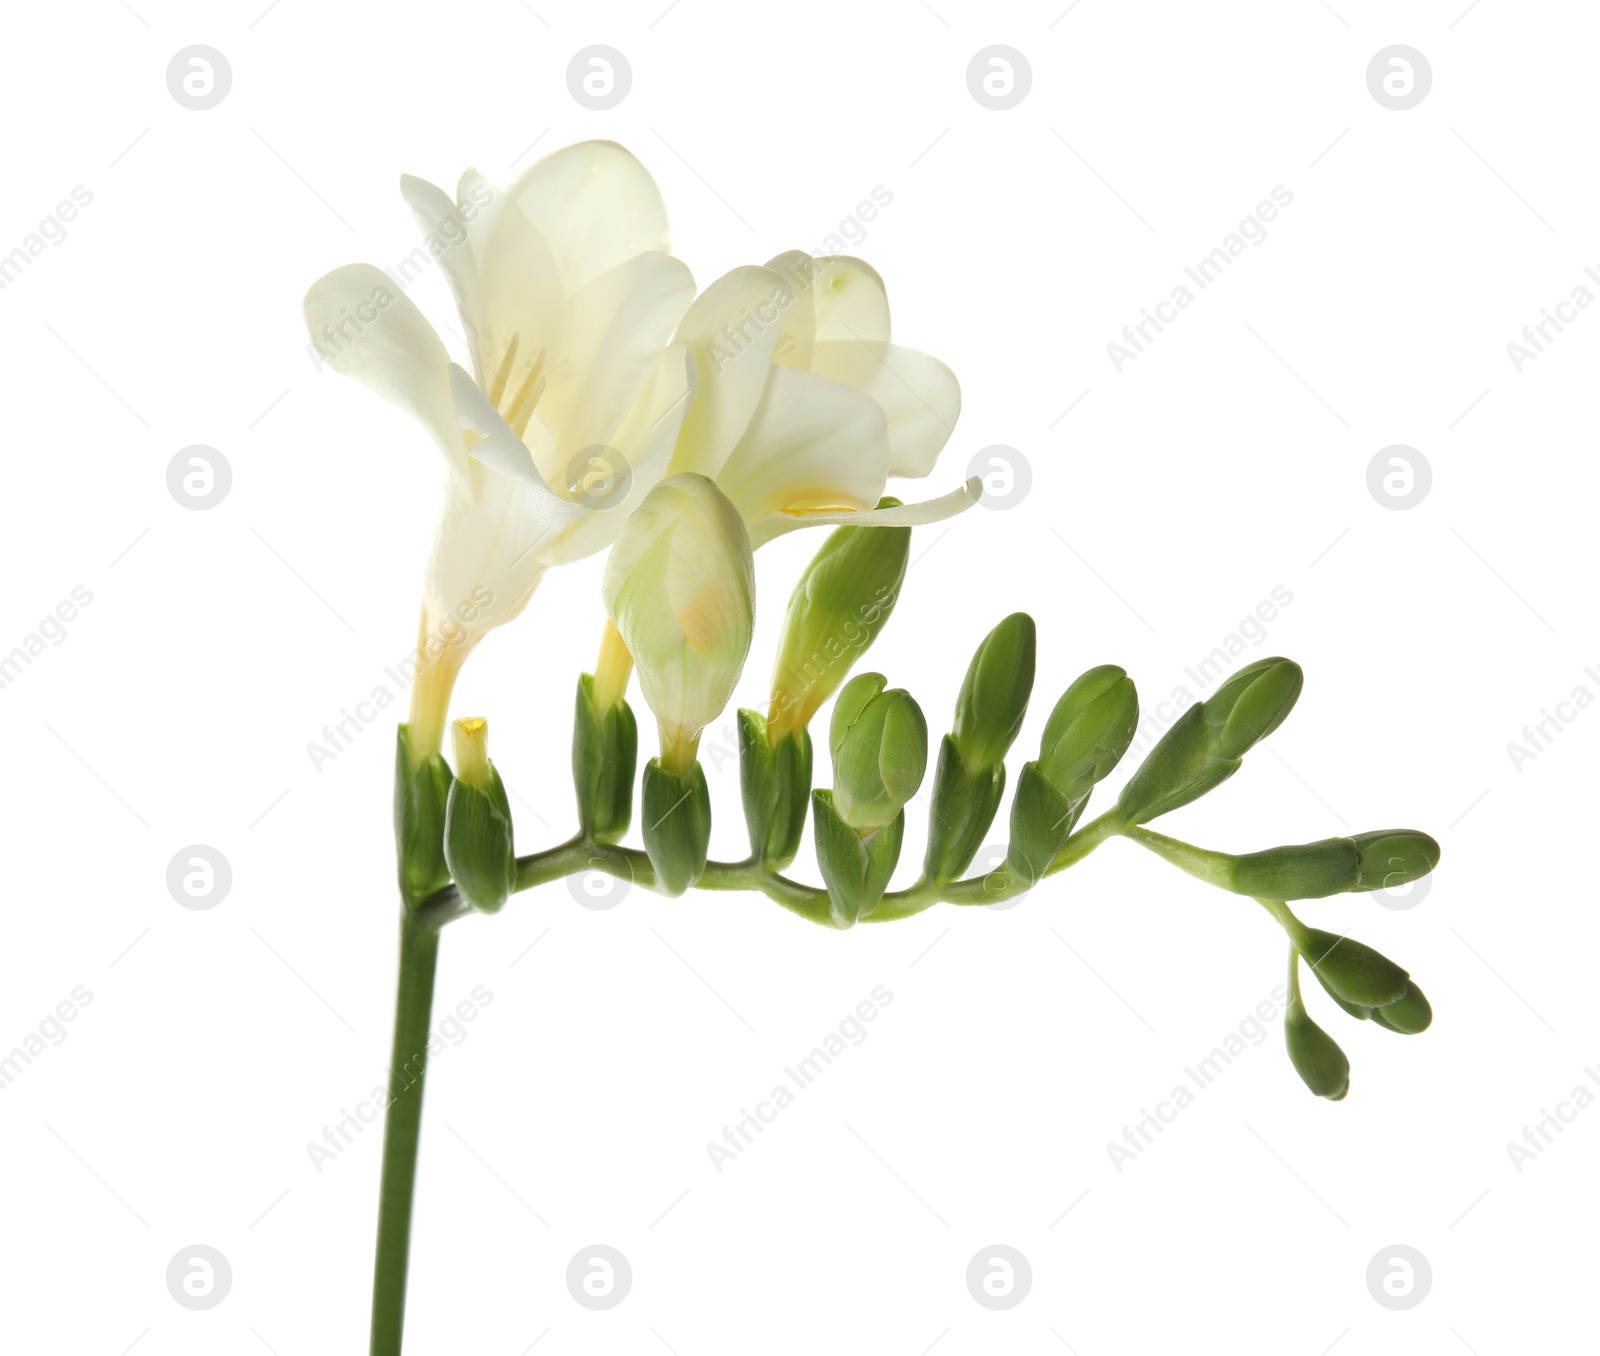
[{"x": 596, "y": 205}]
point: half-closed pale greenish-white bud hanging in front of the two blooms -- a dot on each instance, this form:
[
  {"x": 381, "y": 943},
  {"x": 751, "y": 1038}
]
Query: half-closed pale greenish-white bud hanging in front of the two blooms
[{"x": 681, "y": 589}]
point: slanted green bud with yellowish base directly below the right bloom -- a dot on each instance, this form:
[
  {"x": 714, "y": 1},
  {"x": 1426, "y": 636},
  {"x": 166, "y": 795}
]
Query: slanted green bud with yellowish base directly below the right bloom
[{"x": 838, "y": 610}]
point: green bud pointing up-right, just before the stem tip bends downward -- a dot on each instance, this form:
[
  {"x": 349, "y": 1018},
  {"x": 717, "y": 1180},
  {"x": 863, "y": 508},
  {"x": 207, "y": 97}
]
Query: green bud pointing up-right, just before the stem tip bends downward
[{"x": 1206, "y": 744}]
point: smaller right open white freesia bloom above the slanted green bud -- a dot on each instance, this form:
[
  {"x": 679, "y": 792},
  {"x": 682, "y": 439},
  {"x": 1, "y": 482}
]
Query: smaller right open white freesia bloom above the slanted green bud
[{"x": 806, "y": 409}]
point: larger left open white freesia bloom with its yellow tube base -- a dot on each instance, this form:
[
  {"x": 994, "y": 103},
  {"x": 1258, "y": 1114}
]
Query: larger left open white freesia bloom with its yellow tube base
[{"x": 569, "y": 300}]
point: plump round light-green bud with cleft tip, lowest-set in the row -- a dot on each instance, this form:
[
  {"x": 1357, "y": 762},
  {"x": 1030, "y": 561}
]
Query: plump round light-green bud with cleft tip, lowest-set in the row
[{"x": 879, "y": 741}]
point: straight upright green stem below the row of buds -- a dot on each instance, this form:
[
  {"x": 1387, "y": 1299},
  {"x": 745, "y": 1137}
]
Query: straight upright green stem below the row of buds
[{"x": 402, "y": 1131}]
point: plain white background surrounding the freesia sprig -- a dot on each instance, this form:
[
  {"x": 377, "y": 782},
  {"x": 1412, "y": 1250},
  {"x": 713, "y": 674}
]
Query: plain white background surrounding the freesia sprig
[{"x": 1228, "y": 460}]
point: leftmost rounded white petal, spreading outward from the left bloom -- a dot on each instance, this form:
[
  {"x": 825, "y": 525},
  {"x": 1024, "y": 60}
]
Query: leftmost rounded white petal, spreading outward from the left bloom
[{"x": 367, "y": 329}]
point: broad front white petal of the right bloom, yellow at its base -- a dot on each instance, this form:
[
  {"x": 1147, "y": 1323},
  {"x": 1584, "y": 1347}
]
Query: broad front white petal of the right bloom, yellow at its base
[{"x": 812, "y": 447}]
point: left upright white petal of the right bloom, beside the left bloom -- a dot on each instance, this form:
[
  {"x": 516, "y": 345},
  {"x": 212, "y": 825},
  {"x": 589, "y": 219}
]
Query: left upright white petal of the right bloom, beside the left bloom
[{"x": 732, "y": 330}]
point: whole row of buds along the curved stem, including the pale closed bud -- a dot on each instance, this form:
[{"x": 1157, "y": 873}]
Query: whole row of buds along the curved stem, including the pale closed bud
[{"x": 679, "y": 591}]
